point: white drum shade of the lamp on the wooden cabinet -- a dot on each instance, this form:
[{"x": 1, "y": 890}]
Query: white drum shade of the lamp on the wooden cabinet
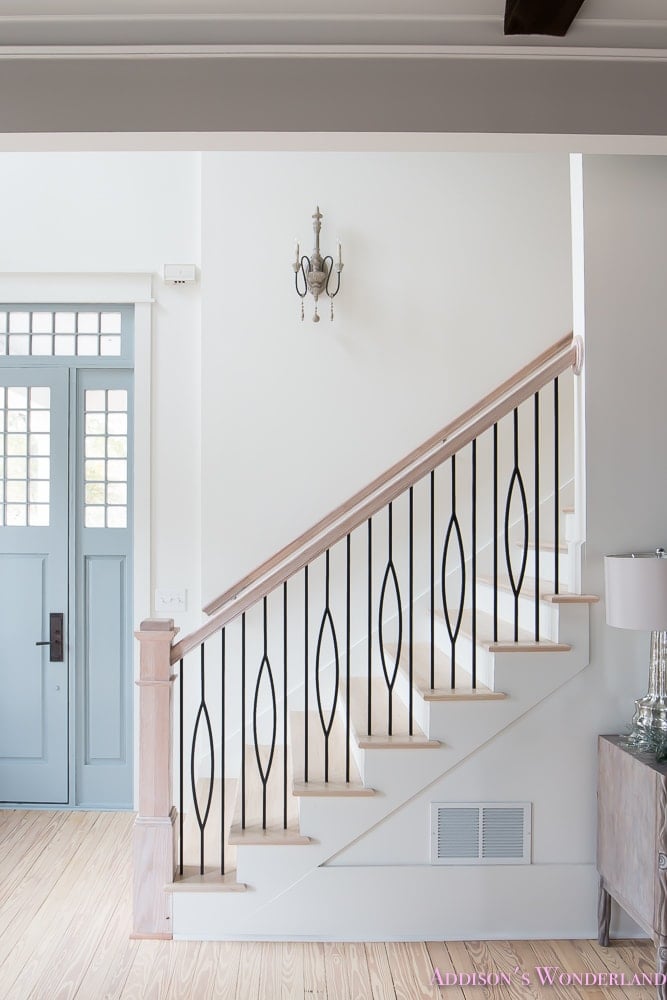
[{"x": 636, "y": 590}]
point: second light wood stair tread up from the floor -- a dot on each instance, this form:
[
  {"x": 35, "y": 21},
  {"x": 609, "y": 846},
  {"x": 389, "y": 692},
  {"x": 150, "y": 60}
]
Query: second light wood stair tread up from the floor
[{"x": 275, "y": 831}]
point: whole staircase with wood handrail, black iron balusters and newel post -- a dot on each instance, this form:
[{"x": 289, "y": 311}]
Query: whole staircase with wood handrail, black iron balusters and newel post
[{"x": 357, "y": 668}]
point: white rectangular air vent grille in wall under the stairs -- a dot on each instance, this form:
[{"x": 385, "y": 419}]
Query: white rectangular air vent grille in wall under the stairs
[{"x": 480, "y": 833}]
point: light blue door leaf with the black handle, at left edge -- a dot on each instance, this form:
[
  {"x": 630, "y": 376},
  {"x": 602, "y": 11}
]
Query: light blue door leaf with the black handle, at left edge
[{"x": 34, "y": 405}]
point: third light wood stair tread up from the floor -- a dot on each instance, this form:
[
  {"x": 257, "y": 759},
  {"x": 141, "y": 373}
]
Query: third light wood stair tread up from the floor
[{"x": 336, "y": 785}]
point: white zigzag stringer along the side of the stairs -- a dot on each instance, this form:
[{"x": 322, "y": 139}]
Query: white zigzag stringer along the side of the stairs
[{"x": 275, "y": 875}]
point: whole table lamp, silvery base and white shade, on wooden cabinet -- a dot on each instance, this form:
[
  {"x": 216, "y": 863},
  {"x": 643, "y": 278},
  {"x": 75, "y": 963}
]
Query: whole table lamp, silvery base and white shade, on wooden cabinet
[{"x": 636, "y": 590}]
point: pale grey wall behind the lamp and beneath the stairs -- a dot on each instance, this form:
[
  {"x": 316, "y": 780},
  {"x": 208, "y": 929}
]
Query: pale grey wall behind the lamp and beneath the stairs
[{"x": 549, "y": 757}]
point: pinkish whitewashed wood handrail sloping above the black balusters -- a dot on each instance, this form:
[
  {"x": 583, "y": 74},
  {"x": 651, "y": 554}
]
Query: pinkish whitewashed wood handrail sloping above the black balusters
[{"x": 368, "y": 501}]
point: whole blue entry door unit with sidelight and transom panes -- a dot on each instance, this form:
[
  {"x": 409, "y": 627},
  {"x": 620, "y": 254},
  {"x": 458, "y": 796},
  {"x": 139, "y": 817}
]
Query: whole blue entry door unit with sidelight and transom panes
[{"x": 66, "y": 422}]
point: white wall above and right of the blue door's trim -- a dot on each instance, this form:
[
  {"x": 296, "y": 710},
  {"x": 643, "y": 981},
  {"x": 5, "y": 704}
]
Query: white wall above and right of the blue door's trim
[{"x": 125, "y": 212}]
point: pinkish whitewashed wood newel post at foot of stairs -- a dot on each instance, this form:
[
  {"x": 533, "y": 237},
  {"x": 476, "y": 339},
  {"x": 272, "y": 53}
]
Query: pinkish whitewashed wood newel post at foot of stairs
[{"x": 154, "y": 839}]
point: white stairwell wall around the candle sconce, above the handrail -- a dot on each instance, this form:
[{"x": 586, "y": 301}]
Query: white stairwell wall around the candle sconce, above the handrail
[{"x": 456, "y": 272}]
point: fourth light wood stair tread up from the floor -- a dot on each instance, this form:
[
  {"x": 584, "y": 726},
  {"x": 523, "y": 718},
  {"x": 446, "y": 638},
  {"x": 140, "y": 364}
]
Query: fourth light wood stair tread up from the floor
[{"x": 380, "y": 738}]
